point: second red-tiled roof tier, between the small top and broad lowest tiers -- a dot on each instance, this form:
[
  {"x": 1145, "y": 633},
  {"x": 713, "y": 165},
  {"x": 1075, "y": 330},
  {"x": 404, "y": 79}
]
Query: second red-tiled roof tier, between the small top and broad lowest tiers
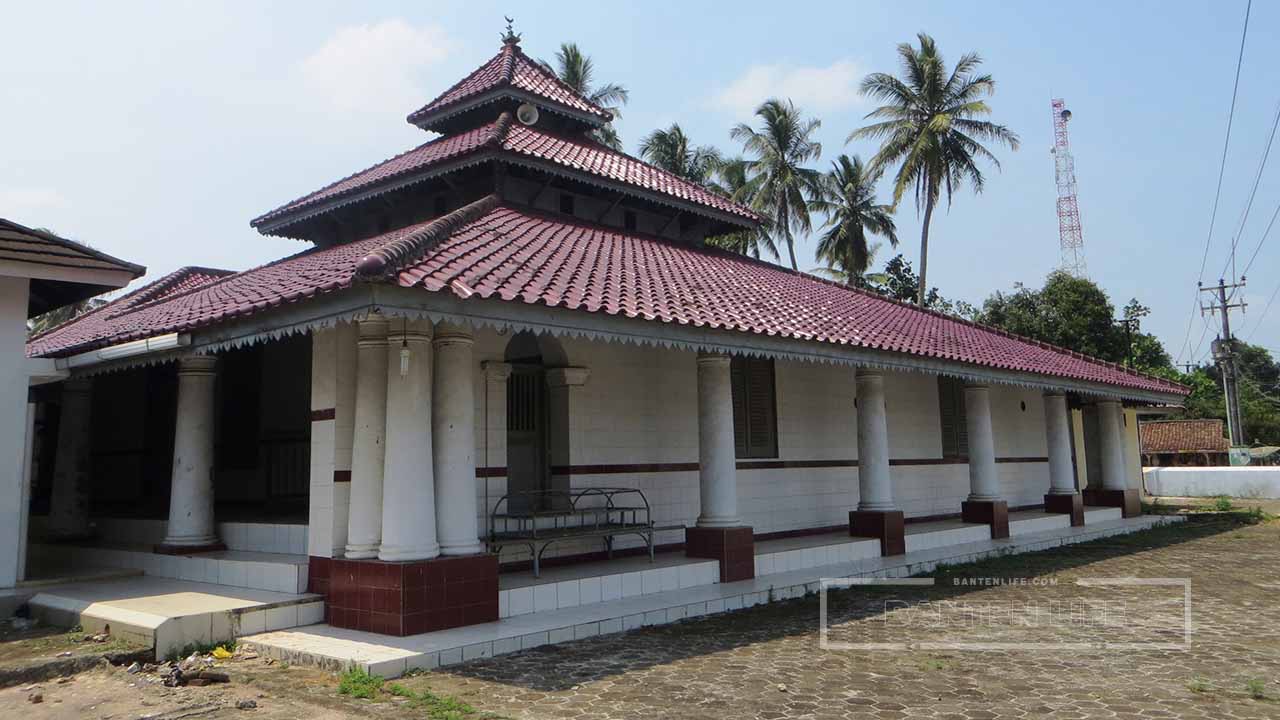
[{"x": 514, "y": 143}]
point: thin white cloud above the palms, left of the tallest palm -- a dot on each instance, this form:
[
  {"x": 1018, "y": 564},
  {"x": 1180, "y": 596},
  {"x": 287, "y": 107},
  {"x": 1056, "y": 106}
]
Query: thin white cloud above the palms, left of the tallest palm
[{"x": 834, "y": 88}]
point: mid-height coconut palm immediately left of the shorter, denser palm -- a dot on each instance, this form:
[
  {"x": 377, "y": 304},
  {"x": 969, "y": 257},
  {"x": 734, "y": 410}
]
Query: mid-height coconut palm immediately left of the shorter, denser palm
[{"x": 781, "y": 188}]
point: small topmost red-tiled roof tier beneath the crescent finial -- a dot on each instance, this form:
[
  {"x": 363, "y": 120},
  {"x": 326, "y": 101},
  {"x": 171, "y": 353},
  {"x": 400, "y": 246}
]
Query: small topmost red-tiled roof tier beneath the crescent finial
[{"x": 510, "y": 75}]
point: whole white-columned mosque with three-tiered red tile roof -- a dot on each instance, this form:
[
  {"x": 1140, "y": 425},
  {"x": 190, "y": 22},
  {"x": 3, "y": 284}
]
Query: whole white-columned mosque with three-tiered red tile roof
[{"x": 513, "y": 344}]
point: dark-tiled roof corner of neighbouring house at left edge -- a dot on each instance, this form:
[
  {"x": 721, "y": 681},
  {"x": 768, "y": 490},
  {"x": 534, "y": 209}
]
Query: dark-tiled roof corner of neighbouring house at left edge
[{"x": 62, "y": 271}]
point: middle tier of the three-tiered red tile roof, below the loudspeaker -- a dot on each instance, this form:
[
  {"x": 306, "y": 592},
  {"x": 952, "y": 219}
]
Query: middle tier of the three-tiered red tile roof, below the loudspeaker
[{"x": 580, "y": 154}]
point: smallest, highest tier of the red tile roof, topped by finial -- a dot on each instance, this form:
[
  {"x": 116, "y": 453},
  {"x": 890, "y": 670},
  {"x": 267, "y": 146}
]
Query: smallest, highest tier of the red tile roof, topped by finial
[{"x": 510, "y": 69}]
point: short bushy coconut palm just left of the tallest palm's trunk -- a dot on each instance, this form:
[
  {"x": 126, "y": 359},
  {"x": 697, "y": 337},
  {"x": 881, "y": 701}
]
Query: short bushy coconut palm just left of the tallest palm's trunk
[{"x": 848, "y": 200}]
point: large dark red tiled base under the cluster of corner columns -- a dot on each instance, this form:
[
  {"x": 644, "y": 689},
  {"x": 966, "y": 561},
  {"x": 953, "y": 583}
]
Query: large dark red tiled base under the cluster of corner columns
[{"x": 418, "y": 596}]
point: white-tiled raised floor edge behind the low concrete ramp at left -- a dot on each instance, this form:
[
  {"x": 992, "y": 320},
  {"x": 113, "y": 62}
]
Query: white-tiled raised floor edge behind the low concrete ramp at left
[{"x": 239, "y": 569}]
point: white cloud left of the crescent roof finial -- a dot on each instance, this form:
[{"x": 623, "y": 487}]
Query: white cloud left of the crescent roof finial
[{"x": 378, "y": 67}]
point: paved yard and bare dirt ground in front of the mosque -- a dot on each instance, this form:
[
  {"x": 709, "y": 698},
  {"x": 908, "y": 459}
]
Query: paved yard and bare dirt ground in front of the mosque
[{"x": 767, "y": 662}]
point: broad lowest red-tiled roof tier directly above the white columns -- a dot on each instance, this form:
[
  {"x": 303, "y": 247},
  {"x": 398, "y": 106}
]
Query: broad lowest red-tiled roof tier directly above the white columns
[{"x": 523, "y": 257}]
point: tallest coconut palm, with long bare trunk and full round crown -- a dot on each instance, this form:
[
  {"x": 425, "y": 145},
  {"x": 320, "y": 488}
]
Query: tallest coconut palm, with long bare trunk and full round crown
[{"x": 932, "y": 126}]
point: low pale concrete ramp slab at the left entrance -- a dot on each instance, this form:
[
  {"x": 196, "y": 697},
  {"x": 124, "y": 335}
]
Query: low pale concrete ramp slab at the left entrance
[{"x": 171, "y": 616}]
